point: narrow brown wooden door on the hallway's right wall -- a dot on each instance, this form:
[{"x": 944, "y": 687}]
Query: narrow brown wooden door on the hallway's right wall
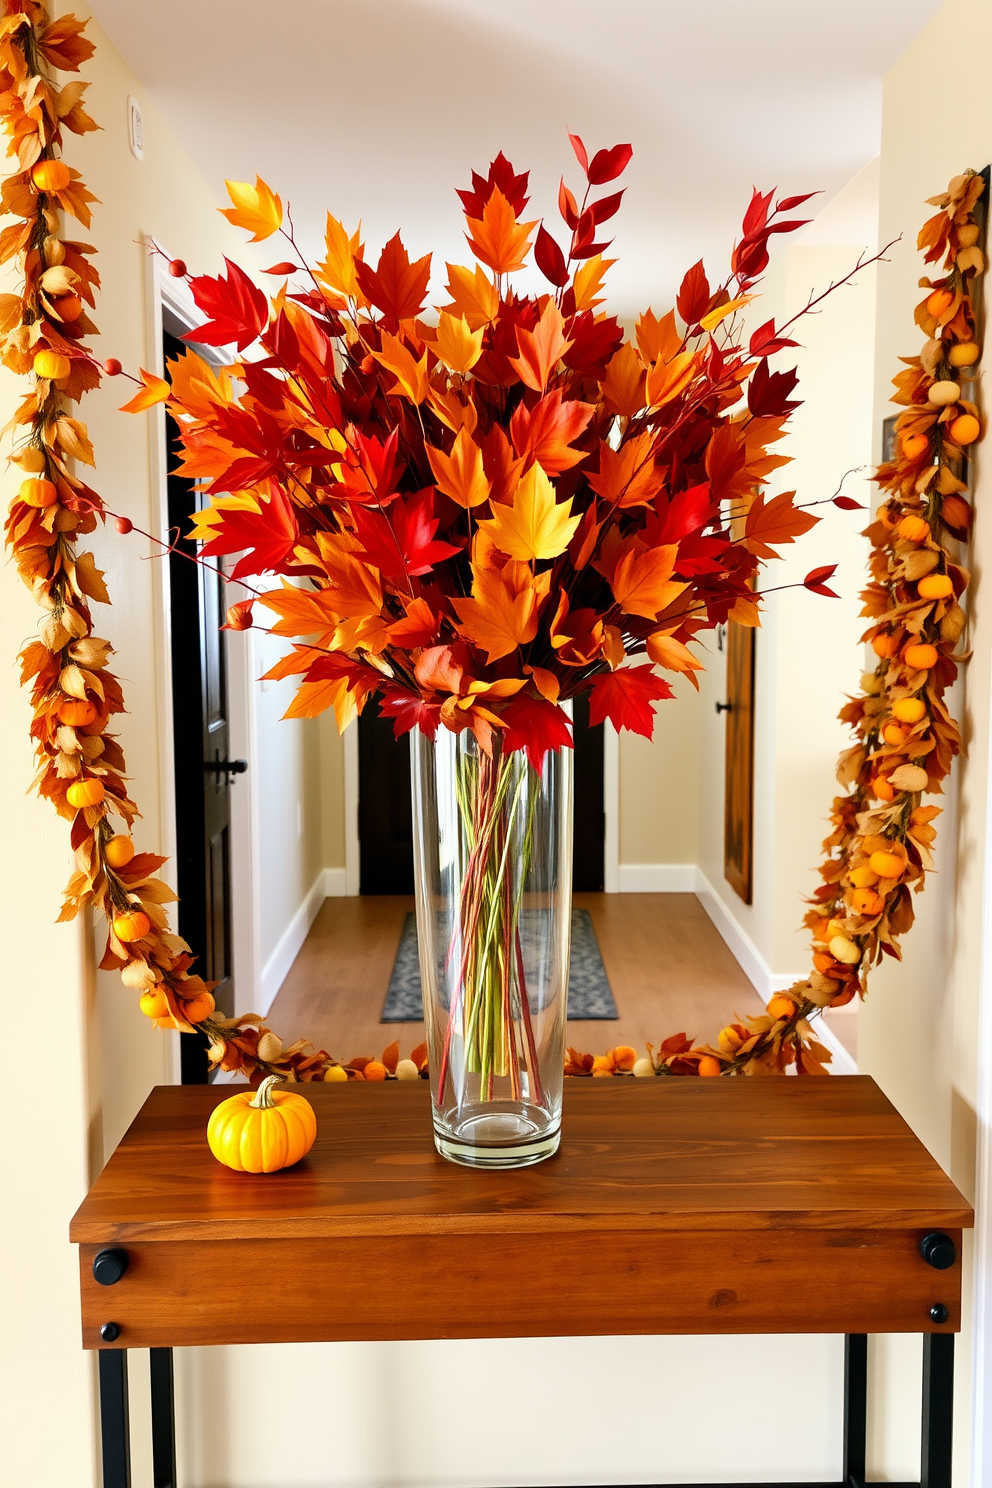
[{"x": 738, "y": 800}]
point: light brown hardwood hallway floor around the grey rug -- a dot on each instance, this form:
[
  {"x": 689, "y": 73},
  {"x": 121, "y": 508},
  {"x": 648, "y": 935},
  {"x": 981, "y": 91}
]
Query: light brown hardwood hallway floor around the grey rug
[{"x": 669, "y": 971}]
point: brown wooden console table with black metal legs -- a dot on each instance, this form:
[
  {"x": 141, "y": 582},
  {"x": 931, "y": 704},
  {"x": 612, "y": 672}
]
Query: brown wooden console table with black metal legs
[{"x": 752, "y": 1206}]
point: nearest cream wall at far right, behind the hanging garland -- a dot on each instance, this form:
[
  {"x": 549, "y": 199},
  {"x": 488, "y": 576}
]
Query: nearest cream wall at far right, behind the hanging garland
[{"x": 920, "y": 1029}]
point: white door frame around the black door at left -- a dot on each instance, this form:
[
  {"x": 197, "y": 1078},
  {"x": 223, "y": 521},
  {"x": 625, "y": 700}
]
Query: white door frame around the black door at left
[{"x": 170, "y": 301}]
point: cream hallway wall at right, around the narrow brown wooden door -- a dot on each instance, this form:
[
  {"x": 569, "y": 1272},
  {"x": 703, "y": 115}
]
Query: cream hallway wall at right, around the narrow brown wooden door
[{"x": 808, "y": 652}]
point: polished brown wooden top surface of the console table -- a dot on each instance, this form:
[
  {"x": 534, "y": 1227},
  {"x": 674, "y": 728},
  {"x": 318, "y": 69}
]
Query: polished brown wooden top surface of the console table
[{"x": 636, "y": 1155}]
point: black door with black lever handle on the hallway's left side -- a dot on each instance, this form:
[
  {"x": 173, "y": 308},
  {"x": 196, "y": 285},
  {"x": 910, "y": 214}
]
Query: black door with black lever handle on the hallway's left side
[{"x": 203, "y": 752}]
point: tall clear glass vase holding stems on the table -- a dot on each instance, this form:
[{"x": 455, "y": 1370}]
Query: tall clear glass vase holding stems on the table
[{"x": 493, "y": 867}]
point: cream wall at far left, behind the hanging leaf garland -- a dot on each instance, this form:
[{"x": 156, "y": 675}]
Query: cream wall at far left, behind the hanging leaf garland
[{"x": 75, "y": 1030}]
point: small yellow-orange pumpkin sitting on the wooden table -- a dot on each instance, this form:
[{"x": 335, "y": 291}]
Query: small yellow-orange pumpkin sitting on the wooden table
[{"x": 263, "y": 1132}]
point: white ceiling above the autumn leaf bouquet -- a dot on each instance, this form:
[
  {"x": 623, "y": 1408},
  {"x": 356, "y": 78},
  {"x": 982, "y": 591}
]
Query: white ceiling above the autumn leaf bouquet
[{"x": 379, "y": 109}]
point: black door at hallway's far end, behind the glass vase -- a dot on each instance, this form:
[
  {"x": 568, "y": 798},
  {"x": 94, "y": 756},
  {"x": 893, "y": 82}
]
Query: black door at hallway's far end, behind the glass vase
[{"x": 386, "y": 828}]
